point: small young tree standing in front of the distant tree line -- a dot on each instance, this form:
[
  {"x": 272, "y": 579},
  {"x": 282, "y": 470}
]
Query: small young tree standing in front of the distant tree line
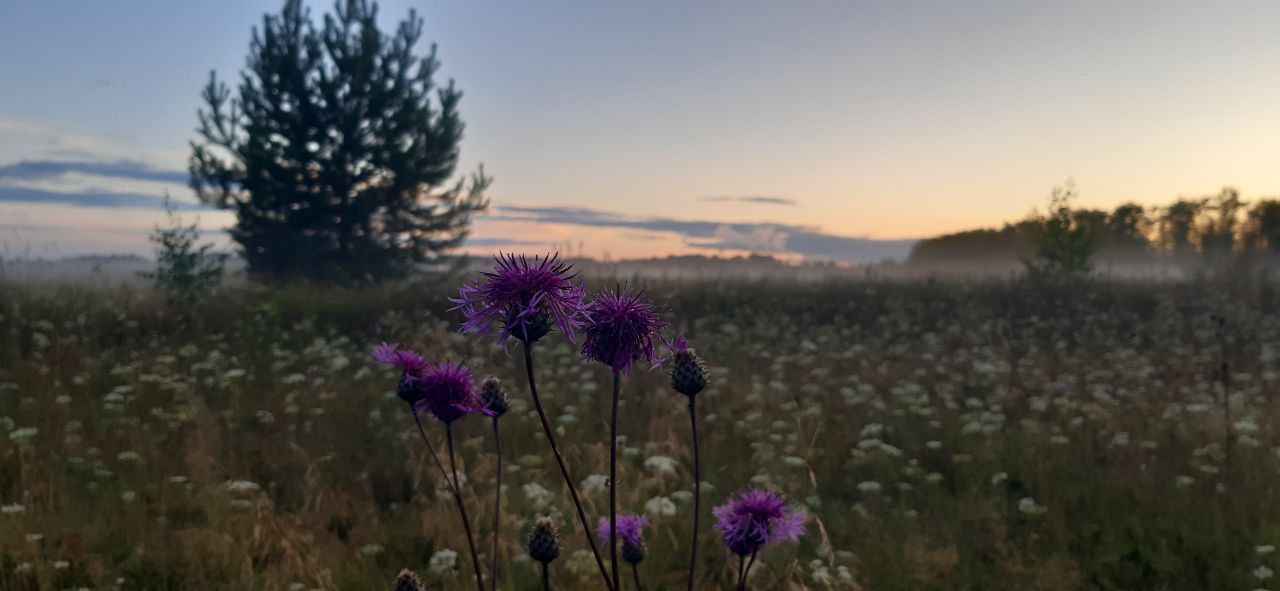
[{"x": 1066, "y": 240}]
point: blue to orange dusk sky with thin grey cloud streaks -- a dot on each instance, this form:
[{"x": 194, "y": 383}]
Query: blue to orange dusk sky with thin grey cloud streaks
[{"x": 811, "y": 130}]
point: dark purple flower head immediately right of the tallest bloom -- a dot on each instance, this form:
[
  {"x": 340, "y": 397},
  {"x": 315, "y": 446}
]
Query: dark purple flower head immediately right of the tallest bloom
[{"x": 621, "y": 328}]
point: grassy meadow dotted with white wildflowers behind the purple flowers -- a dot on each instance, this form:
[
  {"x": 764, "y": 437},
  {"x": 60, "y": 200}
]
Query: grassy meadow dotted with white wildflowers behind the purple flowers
[{"x": 943, "y": 436}]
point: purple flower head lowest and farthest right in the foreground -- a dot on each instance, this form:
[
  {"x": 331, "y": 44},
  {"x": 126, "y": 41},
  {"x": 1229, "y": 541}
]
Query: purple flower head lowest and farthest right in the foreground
[{"x": 755, "y": 519}]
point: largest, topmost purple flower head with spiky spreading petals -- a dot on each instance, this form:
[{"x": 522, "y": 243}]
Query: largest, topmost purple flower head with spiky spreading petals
[{"x": 523, "y": 299}]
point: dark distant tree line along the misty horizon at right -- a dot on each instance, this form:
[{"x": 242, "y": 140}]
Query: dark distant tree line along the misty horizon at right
[{"x": 1217, "y": 228}]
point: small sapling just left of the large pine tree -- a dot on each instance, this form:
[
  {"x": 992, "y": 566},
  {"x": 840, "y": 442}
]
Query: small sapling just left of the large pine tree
[{"x": 185, "y": 269}]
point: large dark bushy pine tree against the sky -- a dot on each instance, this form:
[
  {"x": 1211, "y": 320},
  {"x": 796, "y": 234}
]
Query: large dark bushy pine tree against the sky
[{"x": 337, "y": 152}]
